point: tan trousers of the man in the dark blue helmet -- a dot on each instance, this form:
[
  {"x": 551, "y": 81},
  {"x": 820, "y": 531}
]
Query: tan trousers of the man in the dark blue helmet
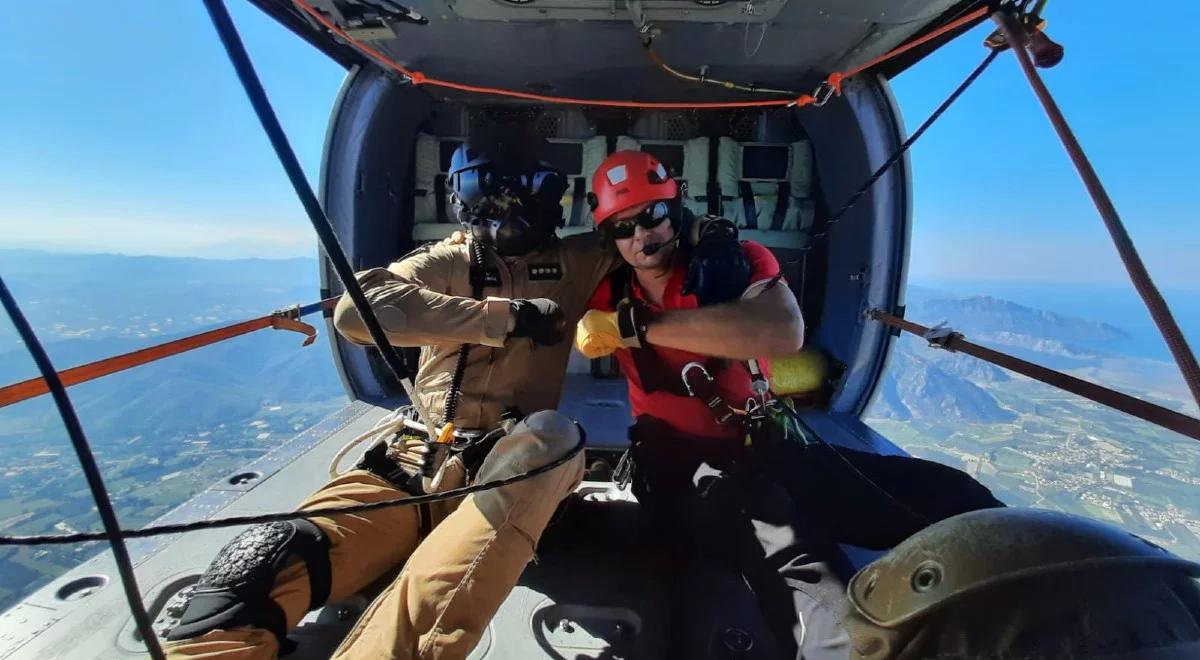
[{"x": 453, "y": 581}]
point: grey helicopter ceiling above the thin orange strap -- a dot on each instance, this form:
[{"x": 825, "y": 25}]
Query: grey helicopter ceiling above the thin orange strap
[{"x": 595, "y": 49}]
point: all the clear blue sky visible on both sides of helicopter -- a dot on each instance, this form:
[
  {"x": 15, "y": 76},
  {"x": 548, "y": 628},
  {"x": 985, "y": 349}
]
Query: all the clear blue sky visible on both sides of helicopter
[{"x": 128, "y": 131}]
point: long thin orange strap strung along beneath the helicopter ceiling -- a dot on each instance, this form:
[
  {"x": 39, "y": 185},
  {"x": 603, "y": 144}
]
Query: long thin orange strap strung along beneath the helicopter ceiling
[{"x": 418, "y": 79}]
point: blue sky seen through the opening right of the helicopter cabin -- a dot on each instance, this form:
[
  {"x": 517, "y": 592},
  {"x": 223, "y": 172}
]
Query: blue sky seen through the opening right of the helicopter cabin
[{"x": 995, "y": 195}]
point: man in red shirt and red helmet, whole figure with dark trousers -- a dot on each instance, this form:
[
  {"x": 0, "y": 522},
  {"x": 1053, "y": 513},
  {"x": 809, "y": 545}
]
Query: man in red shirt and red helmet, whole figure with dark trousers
[{"x": 692, "y": 319}]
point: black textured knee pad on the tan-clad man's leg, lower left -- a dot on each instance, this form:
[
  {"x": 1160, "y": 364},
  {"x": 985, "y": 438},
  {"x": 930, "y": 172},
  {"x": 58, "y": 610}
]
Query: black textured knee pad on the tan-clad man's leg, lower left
[{"x": 236, "y": 591}]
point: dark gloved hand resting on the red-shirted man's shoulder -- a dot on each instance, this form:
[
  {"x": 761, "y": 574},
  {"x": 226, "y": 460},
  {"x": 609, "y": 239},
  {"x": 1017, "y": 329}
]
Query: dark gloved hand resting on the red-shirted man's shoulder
[{"x": 718, "y": 271}]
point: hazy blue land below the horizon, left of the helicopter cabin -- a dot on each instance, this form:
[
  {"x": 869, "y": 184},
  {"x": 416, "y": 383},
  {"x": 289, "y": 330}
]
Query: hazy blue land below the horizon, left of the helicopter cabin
[{"x": 161, "y": 433}]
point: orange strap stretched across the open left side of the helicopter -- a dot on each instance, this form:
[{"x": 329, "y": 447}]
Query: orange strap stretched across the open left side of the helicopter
[{"x": 287, "y": 320}]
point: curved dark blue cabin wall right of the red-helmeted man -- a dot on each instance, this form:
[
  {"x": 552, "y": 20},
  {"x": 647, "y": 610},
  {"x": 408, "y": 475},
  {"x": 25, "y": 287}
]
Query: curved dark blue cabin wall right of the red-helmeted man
[{"x": 862, "y": 262}]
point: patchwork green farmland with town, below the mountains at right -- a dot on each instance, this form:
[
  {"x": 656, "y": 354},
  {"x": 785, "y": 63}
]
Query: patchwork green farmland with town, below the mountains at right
[{"x": 1061, "y": 445}]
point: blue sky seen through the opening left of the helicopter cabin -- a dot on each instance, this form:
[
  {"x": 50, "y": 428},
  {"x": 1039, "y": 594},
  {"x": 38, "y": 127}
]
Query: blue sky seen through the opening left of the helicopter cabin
[{"x": 129, "y": 131}]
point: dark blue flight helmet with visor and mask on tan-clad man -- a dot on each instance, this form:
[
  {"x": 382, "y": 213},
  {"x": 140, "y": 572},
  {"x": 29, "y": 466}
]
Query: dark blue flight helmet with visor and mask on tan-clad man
[{"x": 505, "y": 194}]
